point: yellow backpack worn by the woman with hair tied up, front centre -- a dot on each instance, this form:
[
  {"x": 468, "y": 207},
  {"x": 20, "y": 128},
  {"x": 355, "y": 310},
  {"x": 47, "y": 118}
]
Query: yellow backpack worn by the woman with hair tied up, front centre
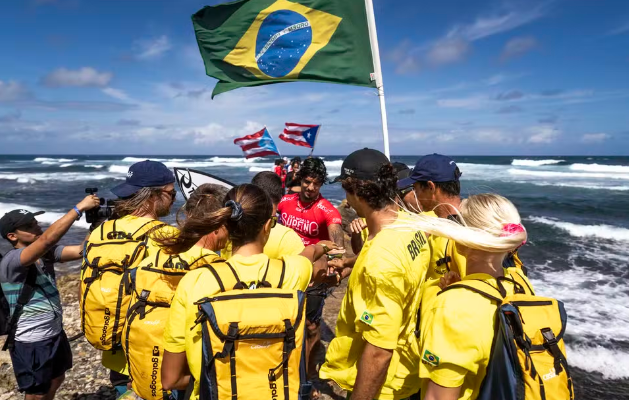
[{"x": 253, "y": 334}]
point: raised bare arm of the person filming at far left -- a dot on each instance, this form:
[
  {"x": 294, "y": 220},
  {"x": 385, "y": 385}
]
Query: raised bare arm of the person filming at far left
[{"x": 55, "y": 232}]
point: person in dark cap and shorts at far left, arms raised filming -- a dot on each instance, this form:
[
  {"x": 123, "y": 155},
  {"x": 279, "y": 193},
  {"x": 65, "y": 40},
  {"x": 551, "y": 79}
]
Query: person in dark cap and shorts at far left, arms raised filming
[{"x": 38, "y": 346}]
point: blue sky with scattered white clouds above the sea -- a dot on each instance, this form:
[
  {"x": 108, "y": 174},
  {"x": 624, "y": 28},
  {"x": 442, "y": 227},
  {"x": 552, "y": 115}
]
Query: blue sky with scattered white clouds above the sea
[{"x": 461, "y": 77}]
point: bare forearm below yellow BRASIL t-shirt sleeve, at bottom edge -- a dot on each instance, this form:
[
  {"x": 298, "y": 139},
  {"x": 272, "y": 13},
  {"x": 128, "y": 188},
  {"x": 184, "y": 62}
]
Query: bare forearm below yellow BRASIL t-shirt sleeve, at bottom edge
[{"x": 372, "y": 372}]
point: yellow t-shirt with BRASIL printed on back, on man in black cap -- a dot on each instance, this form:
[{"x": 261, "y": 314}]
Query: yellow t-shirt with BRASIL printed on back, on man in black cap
[{"x": 380, "y": 307}]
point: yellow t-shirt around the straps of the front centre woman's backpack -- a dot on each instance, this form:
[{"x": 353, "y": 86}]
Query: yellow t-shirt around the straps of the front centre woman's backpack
[{"x": 201, "y": 283}]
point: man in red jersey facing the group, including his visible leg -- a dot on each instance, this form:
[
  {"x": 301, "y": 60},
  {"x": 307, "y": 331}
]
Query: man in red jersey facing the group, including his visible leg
[{"x": 314, "y": 219}]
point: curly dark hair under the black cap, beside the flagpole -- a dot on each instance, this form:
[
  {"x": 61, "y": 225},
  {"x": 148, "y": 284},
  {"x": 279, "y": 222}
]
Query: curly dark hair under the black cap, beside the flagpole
[{"x": 378, "y": 193}]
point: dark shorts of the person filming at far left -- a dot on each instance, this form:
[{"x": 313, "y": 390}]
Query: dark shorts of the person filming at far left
[{"x": 36, "y": 364}]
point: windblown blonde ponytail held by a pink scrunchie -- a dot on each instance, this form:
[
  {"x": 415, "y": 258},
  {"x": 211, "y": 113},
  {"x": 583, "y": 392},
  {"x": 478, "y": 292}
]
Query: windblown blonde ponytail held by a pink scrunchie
[{"x": 489, "y": 222}]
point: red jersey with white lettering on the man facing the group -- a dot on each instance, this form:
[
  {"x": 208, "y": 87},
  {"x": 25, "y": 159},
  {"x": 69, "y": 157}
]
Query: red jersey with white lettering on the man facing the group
[{"x": 311, "y": 221}]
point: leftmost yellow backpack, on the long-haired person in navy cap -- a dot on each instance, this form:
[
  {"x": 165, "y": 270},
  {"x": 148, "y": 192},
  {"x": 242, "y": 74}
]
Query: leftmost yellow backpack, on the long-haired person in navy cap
[{"x": 109, "y": 258}]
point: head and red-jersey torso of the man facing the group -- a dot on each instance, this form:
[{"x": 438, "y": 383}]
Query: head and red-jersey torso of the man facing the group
[{"x": 308, "y": 213}]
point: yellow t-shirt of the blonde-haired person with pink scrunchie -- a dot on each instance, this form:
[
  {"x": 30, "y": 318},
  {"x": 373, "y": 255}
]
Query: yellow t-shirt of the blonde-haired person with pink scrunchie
[{"x": 458, "y": 332}]
